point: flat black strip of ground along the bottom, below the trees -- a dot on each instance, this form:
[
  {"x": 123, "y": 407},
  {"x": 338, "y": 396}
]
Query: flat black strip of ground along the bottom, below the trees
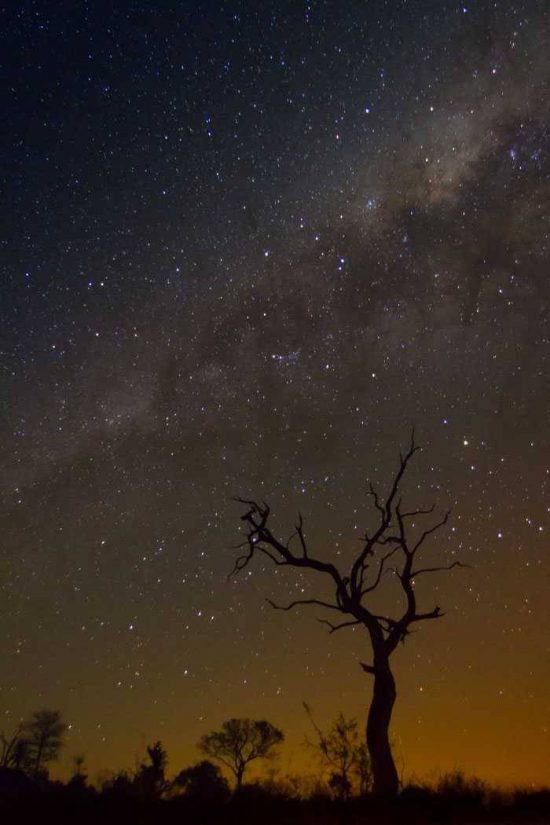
[{"x": 253, "y": 805}]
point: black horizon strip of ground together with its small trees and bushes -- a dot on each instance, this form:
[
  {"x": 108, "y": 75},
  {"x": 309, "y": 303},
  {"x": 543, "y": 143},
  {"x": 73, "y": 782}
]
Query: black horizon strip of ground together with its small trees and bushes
[{"x": 342, "y": 792}]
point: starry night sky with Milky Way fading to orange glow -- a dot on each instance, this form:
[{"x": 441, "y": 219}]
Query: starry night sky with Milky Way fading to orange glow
[{"x": 245, "y": 247}]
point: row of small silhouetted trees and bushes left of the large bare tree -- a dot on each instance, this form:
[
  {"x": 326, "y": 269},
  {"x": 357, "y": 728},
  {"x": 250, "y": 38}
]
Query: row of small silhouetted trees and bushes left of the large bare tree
[{"x": 28, "y": 750}]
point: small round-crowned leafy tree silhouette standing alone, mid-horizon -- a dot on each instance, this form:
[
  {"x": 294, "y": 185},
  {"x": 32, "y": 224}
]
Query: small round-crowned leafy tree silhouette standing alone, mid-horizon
[{"x": 239, "y": 742}]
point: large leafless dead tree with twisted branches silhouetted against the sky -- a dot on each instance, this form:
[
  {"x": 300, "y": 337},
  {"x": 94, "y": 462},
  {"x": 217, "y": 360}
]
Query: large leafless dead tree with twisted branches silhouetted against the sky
[{"x": 393, "y": 546}]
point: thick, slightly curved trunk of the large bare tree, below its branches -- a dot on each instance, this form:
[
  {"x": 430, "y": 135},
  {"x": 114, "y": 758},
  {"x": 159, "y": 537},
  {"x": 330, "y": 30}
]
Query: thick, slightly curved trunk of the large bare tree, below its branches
[{"x": 384, "y": 772}]
